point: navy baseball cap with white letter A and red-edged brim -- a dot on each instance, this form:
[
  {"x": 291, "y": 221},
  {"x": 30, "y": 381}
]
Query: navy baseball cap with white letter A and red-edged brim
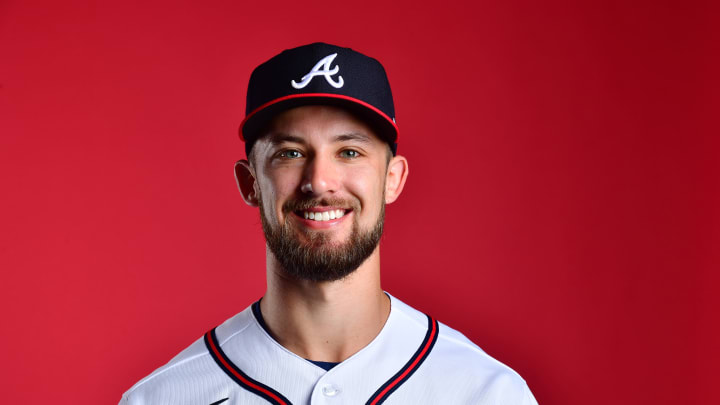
[{"x": 323, "y": 74}]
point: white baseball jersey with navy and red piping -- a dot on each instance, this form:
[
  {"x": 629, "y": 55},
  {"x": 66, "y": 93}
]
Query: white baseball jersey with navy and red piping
[{"x": 413, "y": 360}]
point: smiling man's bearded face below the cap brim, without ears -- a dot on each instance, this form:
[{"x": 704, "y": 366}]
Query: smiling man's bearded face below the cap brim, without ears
[{"x": 320, "y": 181}]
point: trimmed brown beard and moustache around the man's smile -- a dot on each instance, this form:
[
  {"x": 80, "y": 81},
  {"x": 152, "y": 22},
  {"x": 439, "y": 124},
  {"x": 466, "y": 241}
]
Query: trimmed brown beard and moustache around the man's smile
[{"x": 317, "y": 258}]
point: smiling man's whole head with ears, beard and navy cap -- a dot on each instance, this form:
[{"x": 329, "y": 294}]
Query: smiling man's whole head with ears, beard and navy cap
[{"x": 321, "y": 173}]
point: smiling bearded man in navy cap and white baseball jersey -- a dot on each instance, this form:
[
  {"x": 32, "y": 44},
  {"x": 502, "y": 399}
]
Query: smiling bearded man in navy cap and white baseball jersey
[{"x": 321, "y": 142}]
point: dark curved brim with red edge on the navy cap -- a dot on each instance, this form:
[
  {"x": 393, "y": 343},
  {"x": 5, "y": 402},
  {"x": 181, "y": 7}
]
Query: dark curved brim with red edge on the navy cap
[{"x": 255, "y": 122}]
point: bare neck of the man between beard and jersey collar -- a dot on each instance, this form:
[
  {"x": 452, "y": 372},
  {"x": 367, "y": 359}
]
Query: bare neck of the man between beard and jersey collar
[{"x": 328, "y": 321}]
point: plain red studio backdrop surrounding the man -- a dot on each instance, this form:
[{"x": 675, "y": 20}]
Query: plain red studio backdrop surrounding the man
[{"x": 561, "y": 210}]
